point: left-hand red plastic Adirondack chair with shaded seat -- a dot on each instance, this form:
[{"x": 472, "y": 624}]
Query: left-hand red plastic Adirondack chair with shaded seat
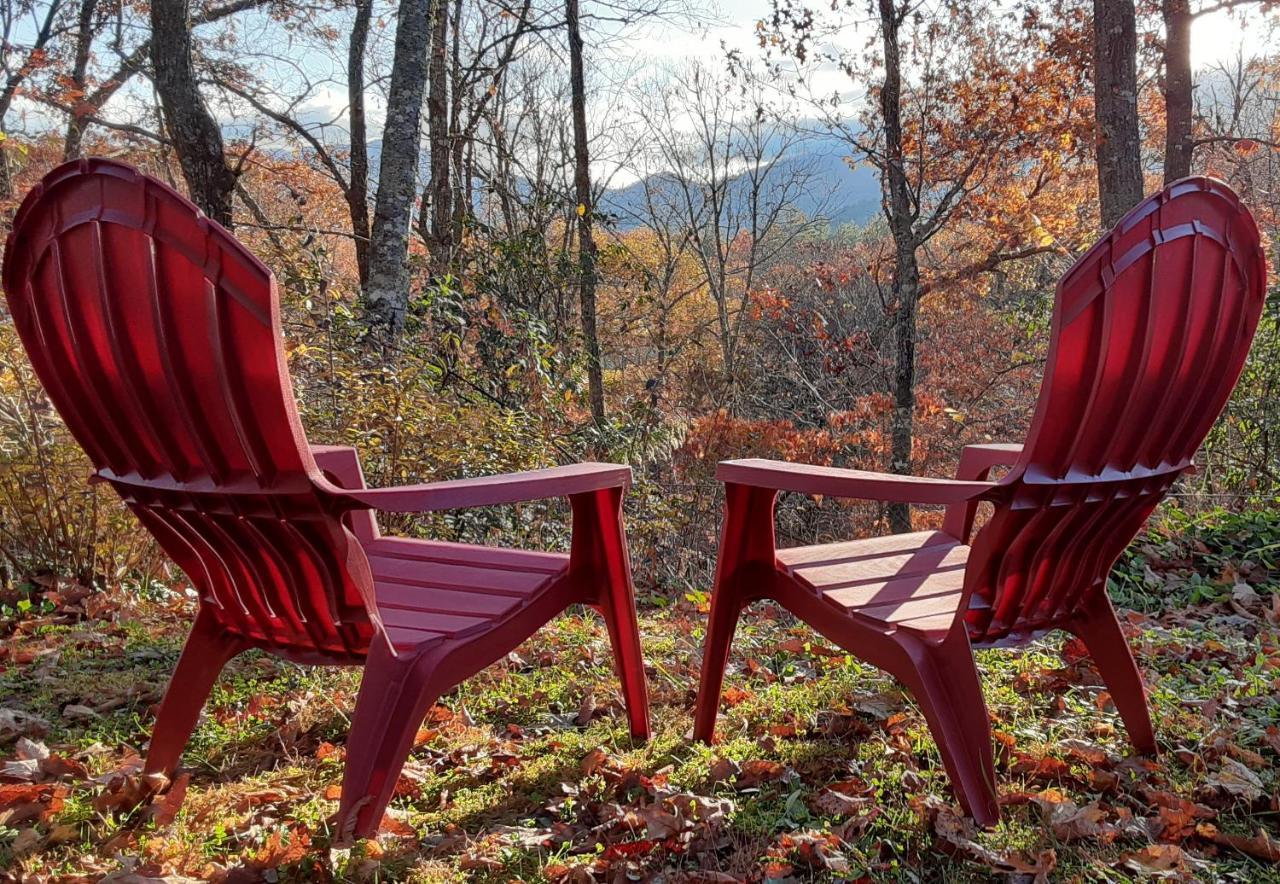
[{"x": 158, "y": 338}]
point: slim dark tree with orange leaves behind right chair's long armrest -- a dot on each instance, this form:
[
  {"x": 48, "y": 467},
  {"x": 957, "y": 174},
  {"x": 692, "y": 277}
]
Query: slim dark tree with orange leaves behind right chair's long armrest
[{"x": 963, "y": 95}]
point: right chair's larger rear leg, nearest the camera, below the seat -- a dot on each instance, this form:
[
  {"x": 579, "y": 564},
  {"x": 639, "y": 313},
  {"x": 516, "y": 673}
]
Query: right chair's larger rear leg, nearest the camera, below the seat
[{"x": 949, "y": 690}]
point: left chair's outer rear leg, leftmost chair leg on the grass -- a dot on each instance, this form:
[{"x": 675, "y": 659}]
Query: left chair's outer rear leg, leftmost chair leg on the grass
[{"x": 207, "y": 652}]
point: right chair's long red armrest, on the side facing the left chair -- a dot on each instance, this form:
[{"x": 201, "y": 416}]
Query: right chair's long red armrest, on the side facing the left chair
[{"x": 836, "y": 483}]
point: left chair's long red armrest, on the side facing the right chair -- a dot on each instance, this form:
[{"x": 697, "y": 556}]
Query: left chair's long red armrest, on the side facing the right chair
[{"x": 491, "y": 491}]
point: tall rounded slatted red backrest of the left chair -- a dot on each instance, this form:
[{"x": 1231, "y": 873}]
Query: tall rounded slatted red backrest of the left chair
[{"x": 158, "y": 338}]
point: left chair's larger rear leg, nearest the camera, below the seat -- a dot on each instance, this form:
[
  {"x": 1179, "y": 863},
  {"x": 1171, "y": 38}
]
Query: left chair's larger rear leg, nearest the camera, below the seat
[{"x": 395, "y": 697}]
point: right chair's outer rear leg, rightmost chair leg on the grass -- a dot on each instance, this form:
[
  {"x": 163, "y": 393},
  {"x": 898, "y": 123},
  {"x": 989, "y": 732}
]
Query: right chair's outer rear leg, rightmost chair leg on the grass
[{"x": 1099, "y": 629}]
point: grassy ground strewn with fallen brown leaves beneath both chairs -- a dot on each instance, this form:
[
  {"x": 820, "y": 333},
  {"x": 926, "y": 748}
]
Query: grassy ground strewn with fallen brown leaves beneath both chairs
[{"x": 824, "y": 771}]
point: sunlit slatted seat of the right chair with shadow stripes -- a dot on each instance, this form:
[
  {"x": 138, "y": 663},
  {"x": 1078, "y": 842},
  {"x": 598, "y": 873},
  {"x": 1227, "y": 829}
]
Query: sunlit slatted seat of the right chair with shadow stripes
[{"x": 911, "y": 581}]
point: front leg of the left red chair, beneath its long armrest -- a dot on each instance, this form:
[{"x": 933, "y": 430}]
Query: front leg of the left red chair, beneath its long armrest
[{"x": 601, "y": 561}]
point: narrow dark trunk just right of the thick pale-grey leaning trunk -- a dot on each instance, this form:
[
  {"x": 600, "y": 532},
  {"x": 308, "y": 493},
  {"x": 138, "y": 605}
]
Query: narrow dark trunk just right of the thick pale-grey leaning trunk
[{"x": 440, "y": 193}]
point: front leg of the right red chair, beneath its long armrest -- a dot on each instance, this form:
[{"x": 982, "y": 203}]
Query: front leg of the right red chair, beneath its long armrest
[{"x": 747, "y": 548}]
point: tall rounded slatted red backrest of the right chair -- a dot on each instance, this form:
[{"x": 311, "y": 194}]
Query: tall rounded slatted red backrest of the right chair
[{"x": 1151, "y": 331}]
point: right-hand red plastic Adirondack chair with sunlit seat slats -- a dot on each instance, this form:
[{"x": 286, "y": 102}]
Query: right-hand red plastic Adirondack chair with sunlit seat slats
[{"x": 1151, "y": 329}]
